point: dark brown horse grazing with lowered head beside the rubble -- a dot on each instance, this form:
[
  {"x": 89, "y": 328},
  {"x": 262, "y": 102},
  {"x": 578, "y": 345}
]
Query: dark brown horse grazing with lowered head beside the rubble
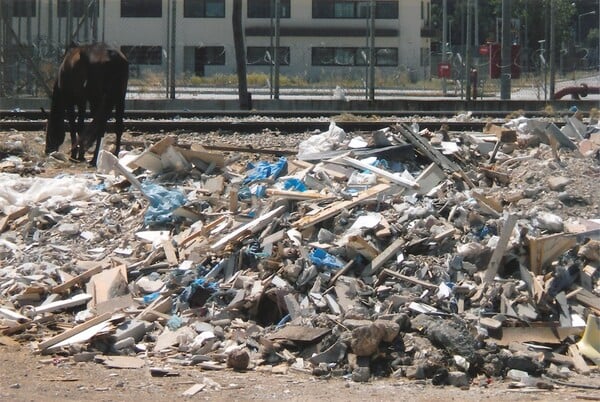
[{"x": 89, "y": 74}]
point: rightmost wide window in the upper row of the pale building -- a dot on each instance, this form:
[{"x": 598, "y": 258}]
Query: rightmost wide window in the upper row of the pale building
[{"x": 384, "y": 9}]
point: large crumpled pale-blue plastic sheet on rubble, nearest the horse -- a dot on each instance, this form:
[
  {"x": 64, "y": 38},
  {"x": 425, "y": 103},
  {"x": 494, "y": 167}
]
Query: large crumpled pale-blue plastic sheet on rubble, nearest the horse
[{"x": 162, "y": 203}]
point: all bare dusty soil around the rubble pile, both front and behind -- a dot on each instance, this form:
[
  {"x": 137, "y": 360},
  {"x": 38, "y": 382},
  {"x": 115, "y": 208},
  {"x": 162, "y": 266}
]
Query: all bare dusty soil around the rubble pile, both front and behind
[{"x": 25, "y": 376}]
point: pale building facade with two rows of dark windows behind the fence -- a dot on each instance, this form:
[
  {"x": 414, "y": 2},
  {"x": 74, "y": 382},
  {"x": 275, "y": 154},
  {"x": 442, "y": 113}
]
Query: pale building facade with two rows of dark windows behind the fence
[{"x": 317, "y": 38}]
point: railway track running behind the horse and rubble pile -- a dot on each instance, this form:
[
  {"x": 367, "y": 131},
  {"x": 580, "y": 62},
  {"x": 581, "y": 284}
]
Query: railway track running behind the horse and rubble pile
[{"x": 284, "y": 122}]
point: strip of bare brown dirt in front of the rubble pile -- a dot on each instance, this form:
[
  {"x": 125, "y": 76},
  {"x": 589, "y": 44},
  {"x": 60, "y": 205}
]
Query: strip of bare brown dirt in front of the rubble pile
[{"x": 28, "y": 377}]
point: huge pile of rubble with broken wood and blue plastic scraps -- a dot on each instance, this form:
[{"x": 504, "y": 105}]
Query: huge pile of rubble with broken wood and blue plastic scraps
[{"x": 460, "y": 257}]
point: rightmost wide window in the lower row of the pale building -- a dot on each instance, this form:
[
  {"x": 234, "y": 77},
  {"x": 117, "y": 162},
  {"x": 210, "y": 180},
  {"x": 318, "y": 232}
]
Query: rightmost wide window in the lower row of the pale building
[{"x": 353, "y": 56}]
